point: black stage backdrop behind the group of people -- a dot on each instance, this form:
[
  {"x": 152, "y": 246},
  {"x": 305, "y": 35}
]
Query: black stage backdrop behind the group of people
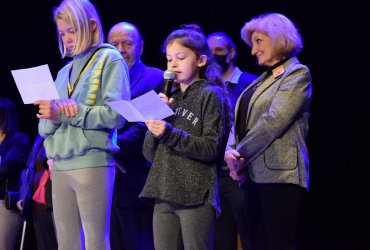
[{"x": 331, "y": 214}]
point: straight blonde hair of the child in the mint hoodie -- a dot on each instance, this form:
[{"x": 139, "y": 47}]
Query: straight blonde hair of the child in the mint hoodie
[{"x": 80, "y": 14}]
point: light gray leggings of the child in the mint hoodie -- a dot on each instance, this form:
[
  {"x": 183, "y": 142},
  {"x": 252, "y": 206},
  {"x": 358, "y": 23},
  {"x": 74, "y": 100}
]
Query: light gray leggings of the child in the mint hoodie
[{"x": 82, "y": 201}]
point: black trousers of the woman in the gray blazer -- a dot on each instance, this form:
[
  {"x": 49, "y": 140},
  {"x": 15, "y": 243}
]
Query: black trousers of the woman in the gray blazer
[{"x": 273, "y": 212}]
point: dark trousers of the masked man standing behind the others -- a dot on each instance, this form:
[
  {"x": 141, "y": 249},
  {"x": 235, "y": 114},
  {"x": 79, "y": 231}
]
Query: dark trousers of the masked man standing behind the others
[{"x": 233, "y": 218}]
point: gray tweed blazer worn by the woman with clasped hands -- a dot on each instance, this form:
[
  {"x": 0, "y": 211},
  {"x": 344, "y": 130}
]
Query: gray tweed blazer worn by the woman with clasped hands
[{"x": 277, "y": 127}]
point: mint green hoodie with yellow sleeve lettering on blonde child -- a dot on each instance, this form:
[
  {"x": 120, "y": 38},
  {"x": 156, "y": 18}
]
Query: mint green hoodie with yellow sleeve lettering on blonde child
[{"x": 89, "y": 138}]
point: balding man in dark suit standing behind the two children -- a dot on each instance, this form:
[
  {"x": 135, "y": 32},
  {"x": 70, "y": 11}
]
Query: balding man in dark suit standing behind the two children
[{"x": 131, "y": 219}]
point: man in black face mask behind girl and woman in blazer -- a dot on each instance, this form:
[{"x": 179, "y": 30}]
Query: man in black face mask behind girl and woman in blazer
[{"x": 233, "y": 218}]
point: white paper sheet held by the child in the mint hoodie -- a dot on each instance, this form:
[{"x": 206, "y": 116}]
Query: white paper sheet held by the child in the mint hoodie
[{"x": 35, "y": 83}]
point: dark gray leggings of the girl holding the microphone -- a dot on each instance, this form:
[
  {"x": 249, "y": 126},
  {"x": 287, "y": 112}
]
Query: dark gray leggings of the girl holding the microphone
[{"x": 174, "y": 223}]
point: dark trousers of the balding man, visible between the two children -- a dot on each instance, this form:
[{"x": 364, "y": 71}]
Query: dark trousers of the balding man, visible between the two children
[{"x": 131, "y": 227}]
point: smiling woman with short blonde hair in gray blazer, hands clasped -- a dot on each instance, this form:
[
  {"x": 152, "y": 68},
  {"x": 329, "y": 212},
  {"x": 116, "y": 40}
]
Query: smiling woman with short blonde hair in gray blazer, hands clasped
[{"x": 266, "y": 151}]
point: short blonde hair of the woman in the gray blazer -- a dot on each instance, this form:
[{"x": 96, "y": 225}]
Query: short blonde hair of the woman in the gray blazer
[{"x": 282, "y": 31}]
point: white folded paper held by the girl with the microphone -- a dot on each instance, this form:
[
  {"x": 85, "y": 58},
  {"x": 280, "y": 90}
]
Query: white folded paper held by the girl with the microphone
[{"x": 144, "y": 107}]
